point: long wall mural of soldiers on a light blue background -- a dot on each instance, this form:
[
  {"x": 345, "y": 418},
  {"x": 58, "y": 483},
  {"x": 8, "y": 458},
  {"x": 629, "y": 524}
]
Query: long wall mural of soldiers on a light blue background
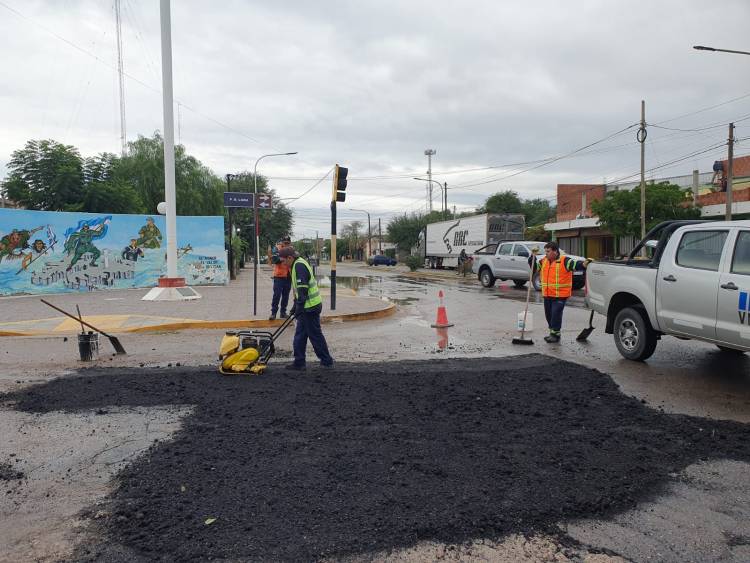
[{"x": 56, "y": 252}]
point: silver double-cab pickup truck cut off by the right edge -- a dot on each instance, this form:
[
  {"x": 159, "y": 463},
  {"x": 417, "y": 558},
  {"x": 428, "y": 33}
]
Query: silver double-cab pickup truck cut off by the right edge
[{"x": 694, "y": 284}]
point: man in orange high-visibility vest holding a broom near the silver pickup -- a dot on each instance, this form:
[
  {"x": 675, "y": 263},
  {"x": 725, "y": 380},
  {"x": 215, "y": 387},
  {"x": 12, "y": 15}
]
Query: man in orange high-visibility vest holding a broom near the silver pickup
[{"x": 556, "y": 275}]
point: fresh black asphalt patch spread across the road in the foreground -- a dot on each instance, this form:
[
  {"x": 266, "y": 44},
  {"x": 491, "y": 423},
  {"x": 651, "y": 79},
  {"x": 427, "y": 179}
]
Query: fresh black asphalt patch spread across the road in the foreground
[{"x": 373, "y": 457}]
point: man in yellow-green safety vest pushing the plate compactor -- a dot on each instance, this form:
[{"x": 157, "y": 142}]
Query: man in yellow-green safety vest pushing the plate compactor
[{"x": 307, "y": 306}]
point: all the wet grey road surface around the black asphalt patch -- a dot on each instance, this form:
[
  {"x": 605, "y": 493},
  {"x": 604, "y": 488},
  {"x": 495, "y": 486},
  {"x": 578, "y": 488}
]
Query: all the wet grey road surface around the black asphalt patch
[{"x": 702, "y": 515}]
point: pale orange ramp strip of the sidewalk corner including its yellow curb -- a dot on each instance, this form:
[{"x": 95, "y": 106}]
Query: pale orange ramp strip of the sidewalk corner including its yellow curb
[{"x": 145, "y": 323}]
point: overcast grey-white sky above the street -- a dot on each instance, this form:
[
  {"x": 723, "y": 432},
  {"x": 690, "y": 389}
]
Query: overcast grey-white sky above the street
[{"x": 499, "y": 89}]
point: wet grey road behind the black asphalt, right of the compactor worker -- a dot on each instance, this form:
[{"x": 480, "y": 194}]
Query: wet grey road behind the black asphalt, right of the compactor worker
[{"x": 686, "y": 377}]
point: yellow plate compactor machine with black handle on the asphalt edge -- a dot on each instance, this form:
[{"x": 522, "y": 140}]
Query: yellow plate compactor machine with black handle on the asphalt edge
[{"x": 248, "y": 351}]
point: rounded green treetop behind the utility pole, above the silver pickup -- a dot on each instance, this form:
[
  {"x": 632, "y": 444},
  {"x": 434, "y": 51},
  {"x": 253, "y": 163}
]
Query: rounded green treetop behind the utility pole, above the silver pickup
[{"x": 620, "y": 210}]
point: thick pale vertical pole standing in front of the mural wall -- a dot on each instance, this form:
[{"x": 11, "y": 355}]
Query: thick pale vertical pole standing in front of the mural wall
[{"x": 169, "y": 175}]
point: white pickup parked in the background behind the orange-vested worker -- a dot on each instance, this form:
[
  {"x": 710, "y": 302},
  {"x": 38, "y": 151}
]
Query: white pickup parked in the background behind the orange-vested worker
[{"x": 510, "y": 261}]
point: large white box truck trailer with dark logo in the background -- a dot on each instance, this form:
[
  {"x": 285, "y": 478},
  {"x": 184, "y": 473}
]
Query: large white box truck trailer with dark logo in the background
[{"x": 441, "y": 243}]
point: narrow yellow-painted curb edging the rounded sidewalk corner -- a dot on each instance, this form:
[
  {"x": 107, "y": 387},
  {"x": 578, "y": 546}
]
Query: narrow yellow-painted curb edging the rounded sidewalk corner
[{"x": 226, "y": 324}]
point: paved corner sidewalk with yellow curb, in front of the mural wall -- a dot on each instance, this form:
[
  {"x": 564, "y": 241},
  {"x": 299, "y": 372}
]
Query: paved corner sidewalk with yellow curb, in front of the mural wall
[{"x": 223, "y": 307}]
